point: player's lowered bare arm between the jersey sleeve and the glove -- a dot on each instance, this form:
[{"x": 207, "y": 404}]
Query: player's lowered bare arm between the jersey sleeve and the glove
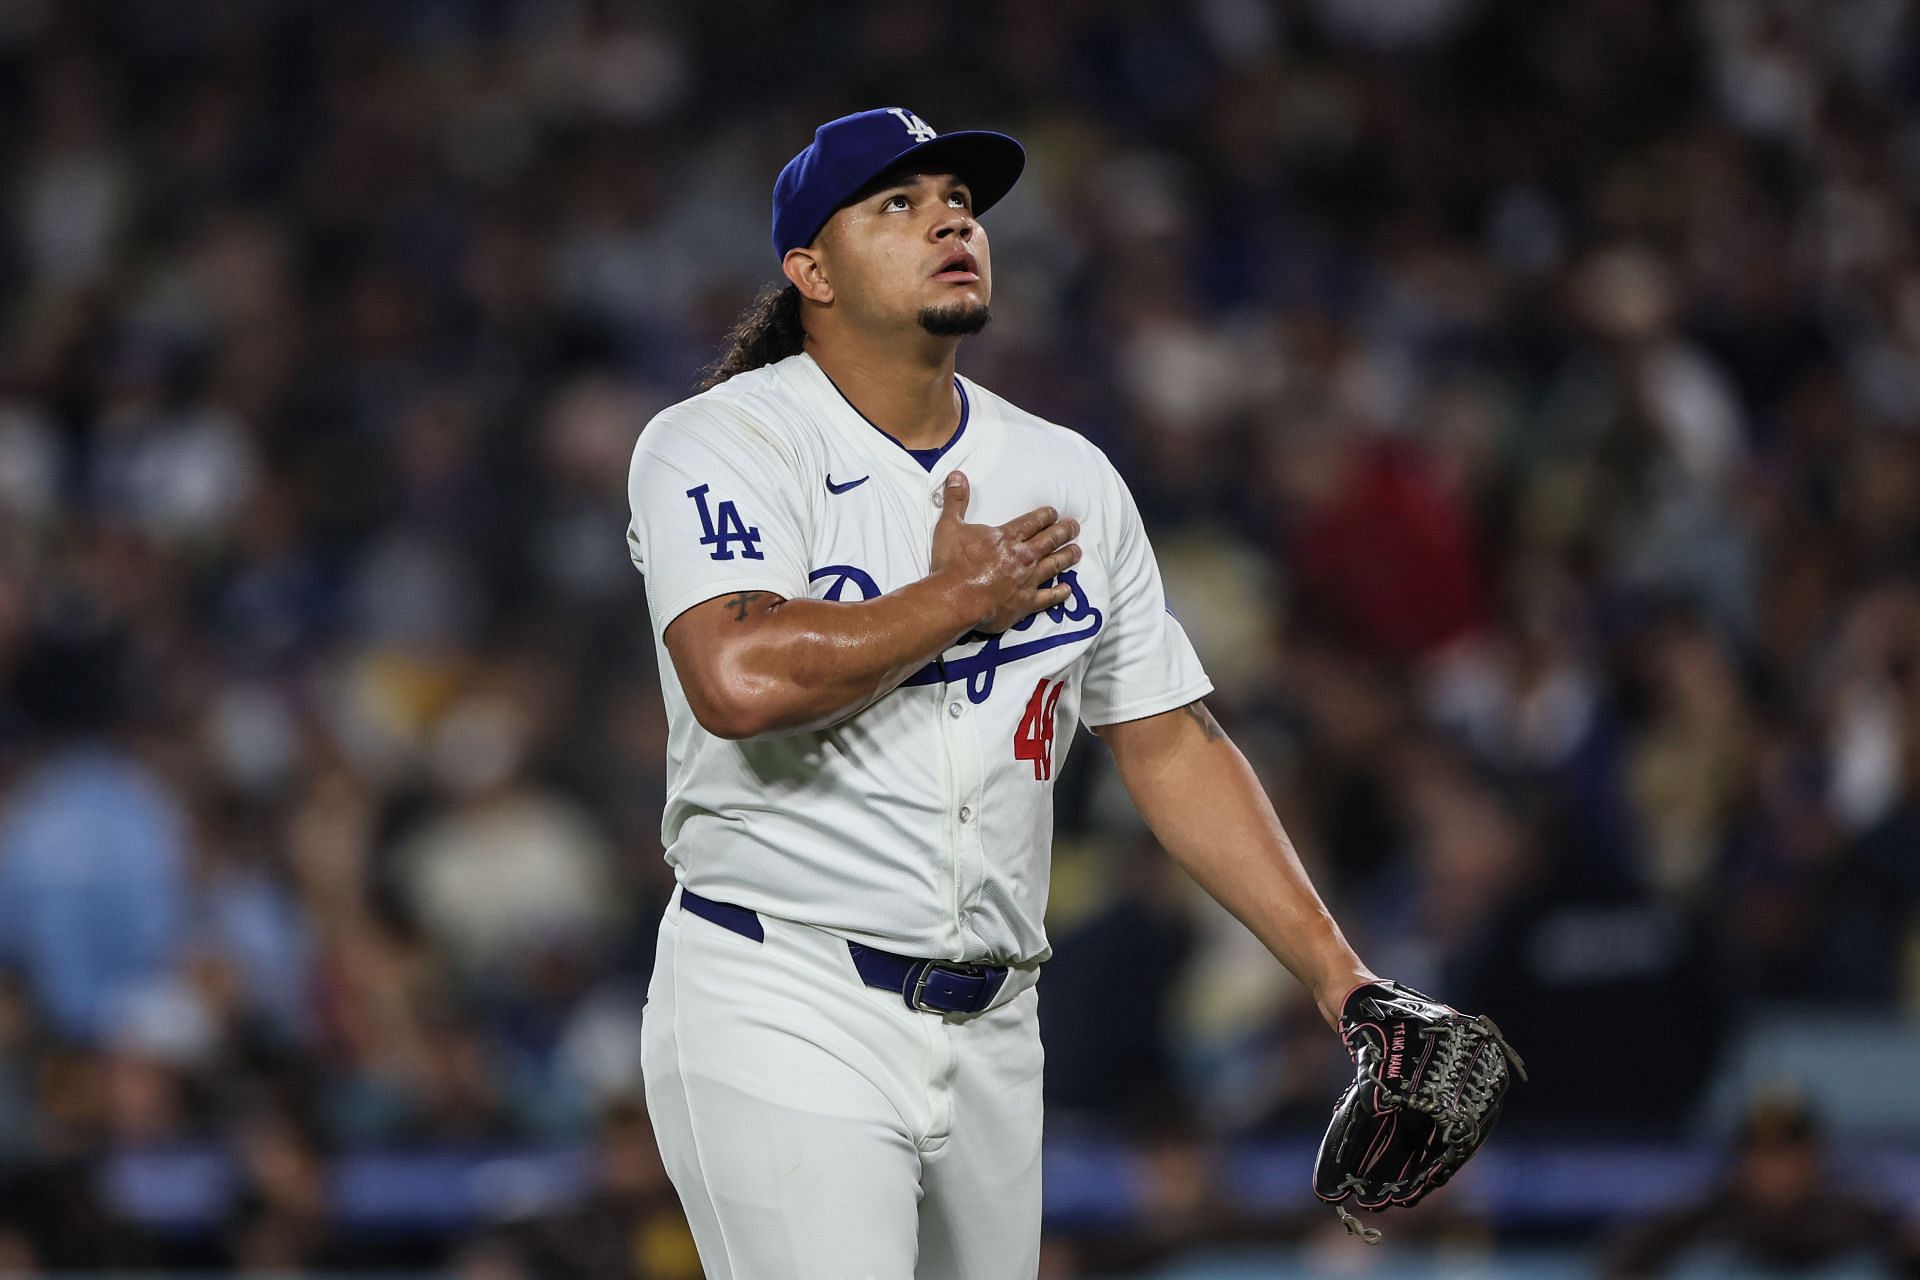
[{"x": 1209, "y": 809}]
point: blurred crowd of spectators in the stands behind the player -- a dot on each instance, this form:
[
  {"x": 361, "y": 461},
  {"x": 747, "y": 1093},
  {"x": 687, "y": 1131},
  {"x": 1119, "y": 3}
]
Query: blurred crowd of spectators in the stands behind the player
[{"x": 1524, "y": 398}]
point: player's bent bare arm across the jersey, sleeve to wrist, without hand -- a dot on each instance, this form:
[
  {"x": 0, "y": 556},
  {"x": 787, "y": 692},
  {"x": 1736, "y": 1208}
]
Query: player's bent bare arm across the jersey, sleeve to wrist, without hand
[{"x": 769, "y": 665}]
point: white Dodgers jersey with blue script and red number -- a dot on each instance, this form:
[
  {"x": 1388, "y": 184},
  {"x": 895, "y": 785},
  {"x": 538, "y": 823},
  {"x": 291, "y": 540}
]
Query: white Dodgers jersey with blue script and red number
[{"x": 924, "y": 822}]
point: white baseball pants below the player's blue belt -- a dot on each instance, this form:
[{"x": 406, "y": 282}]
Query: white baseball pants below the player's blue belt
[{"x": 819, "y": 1129}]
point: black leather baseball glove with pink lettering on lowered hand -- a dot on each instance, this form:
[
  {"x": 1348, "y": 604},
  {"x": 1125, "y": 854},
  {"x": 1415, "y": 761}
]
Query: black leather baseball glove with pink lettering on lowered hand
[{"x": 1428, "y": 1091}]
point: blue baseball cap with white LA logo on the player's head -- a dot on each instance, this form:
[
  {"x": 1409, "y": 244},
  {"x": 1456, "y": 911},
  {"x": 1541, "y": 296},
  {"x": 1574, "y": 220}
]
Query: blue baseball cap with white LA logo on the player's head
[{"x": 857, "y": 149}]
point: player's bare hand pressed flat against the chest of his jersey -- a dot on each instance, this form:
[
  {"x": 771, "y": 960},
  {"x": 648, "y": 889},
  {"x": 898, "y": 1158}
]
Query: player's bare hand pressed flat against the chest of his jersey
[{"x": 1003, "y": 567}]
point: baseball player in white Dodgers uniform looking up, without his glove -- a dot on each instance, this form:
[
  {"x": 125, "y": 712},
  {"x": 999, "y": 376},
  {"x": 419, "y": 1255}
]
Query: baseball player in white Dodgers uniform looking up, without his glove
[{"x": 882, "y": 600}]
